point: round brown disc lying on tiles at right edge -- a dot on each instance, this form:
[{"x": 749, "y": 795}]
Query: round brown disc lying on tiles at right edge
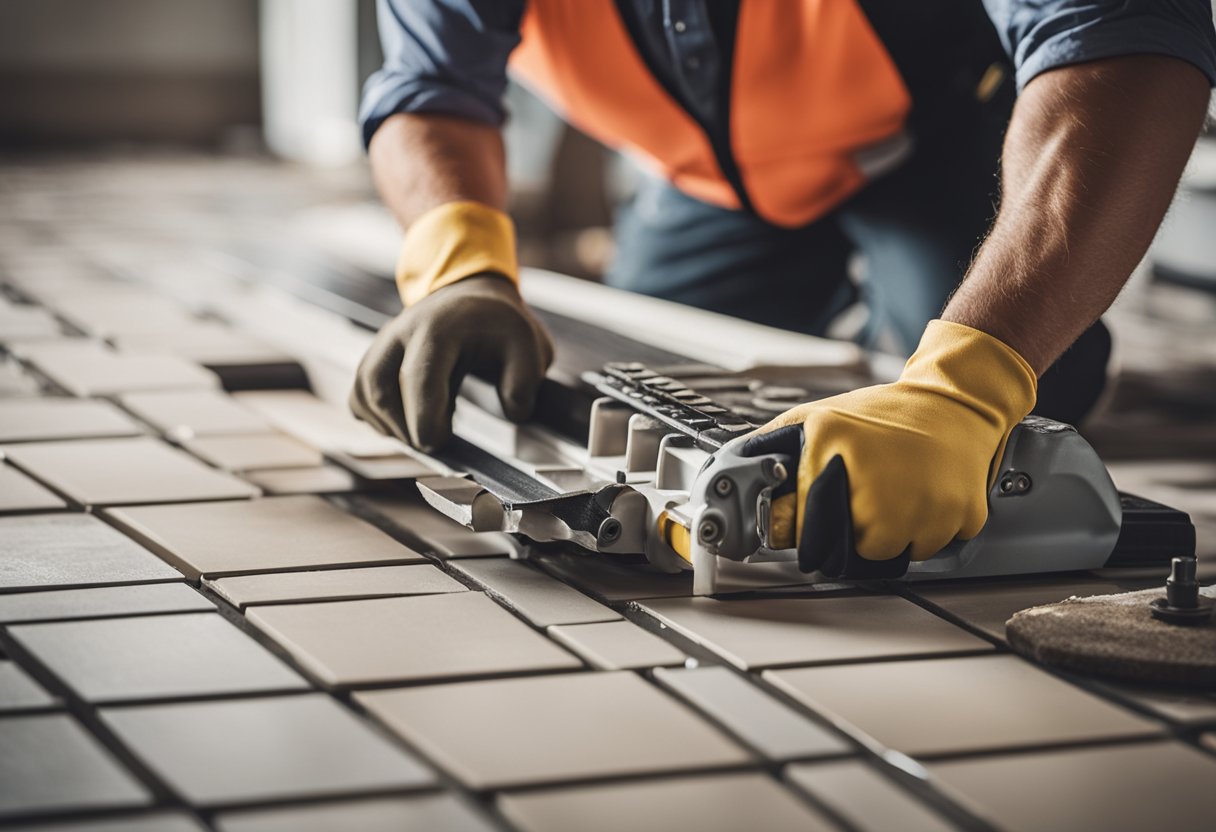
[{"x": 1117, "y": 637}]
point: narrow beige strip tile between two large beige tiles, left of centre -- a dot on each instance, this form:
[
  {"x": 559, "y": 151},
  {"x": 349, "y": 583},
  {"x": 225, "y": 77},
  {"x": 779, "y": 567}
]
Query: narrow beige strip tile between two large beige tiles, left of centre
[{"x": 334, "y": 586}]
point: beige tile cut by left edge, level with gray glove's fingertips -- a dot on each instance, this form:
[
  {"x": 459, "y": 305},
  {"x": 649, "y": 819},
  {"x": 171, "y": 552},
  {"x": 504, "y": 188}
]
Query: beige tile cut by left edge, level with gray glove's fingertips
[{"x": 25, "y": 420}]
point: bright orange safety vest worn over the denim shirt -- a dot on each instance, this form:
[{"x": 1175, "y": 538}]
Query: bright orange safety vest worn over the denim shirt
[{"x": 814, "y": 94}]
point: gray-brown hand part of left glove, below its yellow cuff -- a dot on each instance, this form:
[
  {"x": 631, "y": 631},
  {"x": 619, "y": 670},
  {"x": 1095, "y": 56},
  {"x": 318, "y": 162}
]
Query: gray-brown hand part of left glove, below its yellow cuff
[{"x": 408, "y": 381}]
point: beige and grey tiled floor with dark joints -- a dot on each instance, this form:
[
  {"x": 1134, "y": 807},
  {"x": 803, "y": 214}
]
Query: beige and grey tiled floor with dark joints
[{"x": 181, "y": 651}]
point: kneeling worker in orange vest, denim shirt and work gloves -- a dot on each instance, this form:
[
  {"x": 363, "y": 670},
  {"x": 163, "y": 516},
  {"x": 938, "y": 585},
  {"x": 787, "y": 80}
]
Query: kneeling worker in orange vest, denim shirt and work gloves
[{"x": 780, "y": 138}]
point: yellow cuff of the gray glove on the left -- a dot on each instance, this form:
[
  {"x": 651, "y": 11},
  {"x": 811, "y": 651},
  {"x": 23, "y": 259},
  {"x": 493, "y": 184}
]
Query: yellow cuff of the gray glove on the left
[{"x": 454, "y": 241}]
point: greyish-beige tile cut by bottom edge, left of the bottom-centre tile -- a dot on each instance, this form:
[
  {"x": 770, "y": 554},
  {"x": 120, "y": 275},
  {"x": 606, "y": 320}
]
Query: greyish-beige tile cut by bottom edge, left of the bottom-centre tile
[{"x": 442, "y": 813}]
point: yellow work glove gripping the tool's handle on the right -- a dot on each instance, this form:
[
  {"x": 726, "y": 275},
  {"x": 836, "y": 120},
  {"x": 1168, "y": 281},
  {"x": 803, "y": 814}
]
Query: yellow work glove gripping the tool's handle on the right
[{"x": 921, "y": 453}]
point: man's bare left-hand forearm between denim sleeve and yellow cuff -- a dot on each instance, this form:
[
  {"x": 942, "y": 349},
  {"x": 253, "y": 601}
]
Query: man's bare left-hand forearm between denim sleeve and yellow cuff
[{"x": 424, "y": 161}]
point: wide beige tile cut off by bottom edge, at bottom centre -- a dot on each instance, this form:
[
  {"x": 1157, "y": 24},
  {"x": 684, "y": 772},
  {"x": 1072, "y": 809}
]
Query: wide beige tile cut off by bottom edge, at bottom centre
[{"x": 719, "y": 803}]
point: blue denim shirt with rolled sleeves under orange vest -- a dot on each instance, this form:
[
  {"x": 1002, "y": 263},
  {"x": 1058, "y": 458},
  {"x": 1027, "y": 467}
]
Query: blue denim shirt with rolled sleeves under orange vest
[{"x": 451, "y": 57}]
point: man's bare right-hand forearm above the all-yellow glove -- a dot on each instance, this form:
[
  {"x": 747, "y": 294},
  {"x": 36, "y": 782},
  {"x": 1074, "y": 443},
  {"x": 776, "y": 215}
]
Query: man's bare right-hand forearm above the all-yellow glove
[{"x": 1091, "y": 162}]
